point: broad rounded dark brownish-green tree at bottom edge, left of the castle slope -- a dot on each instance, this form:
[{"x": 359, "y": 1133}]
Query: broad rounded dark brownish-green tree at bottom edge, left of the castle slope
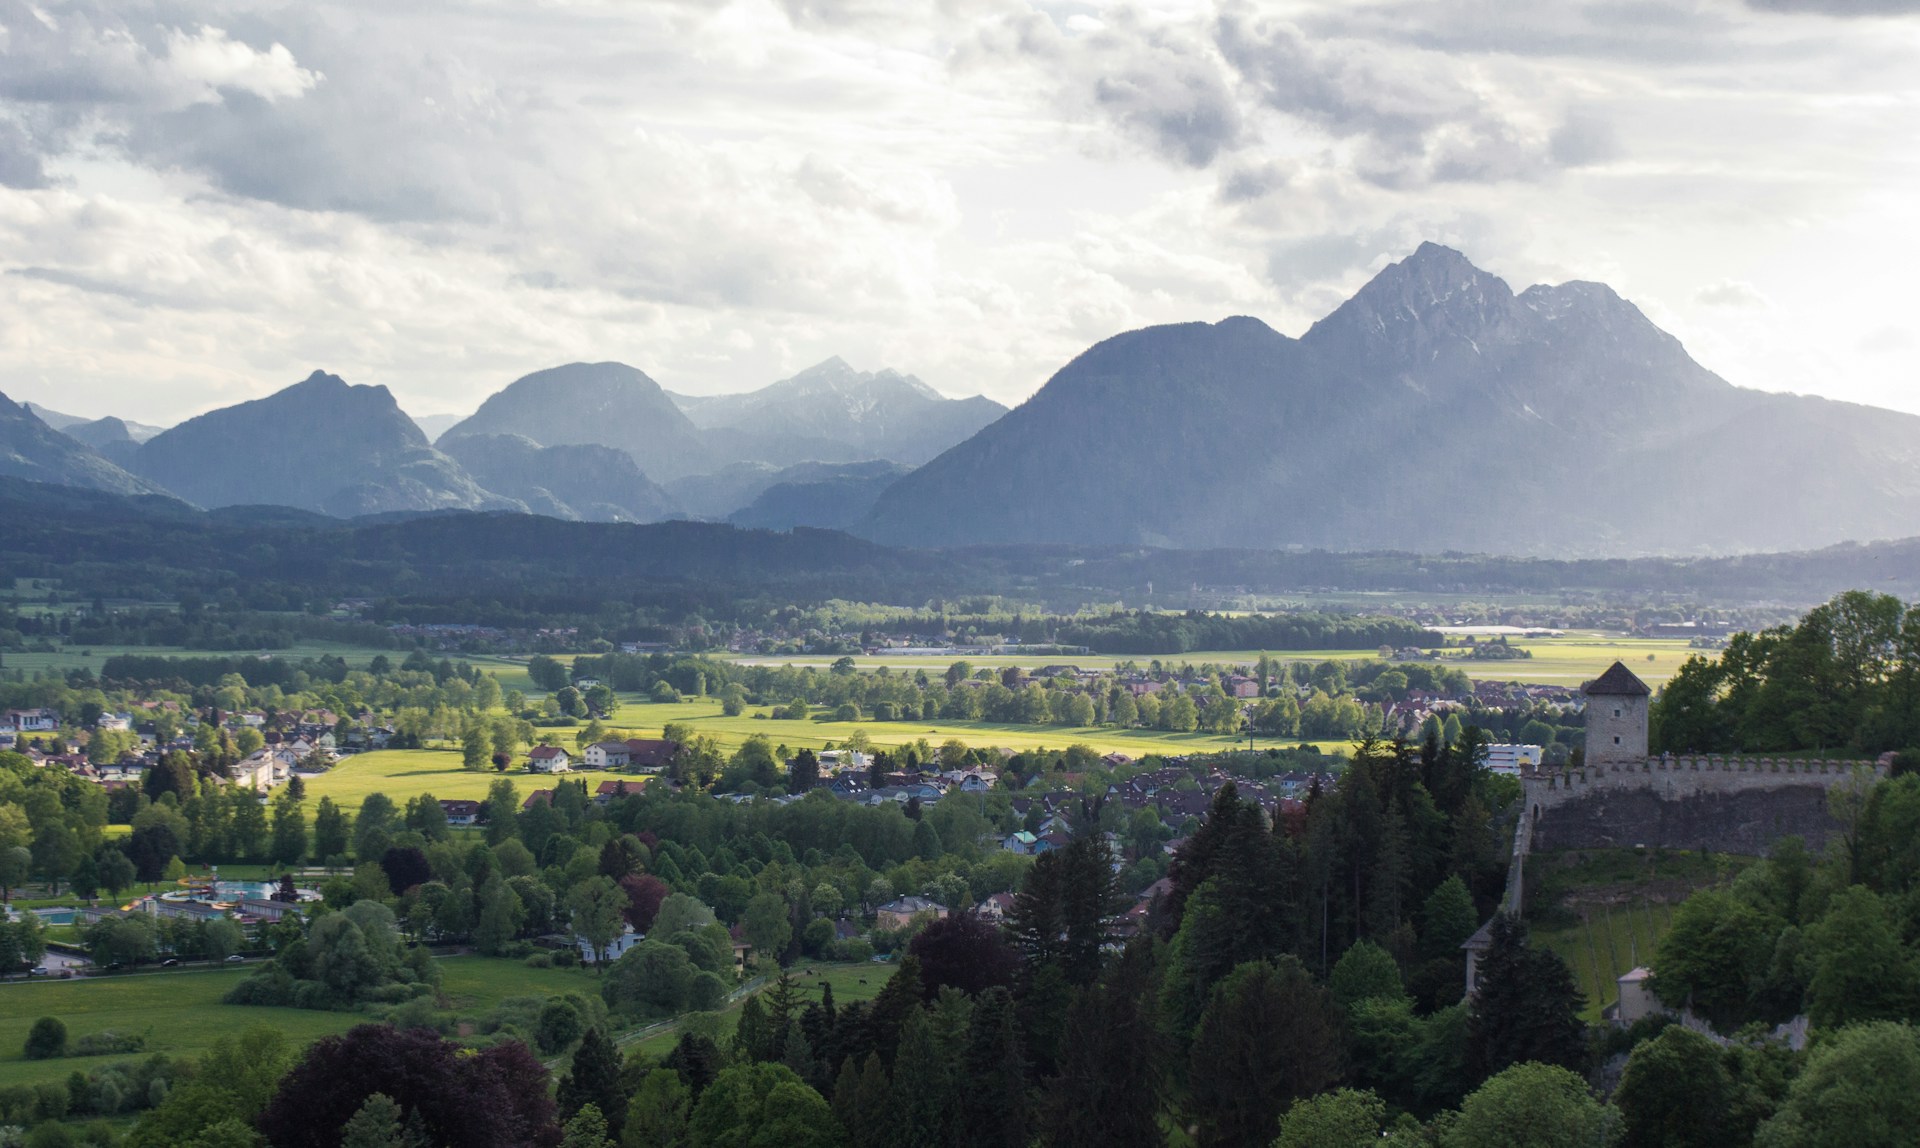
[{"x": 1268, "y": 1038}]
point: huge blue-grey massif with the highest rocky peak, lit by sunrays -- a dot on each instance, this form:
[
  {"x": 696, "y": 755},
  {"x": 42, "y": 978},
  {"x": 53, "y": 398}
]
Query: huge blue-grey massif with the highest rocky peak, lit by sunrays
[{"x": 1431, "y": 412}]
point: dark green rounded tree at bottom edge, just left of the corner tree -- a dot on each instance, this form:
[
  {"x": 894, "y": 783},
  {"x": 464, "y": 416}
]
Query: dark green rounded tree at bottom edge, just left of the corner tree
[{"x": 1677, "y": 1093}]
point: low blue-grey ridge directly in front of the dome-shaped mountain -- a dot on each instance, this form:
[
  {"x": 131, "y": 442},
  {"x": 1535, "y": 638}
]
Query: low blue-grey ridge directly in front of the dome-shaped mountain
[{"x": 583, "y": 483}]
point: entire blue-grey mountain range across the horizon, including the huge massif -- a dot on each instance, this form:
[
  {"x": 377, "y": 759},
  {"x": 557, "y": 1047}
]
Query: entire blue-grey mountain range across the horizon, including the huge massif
[{"x": 1433, "y": 412}]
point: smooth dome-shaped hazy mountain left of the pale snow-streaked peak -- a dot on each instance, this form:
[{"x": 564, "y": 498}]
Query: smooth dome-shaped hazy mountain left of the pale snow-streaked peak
[{"x": 604, "y": 404}]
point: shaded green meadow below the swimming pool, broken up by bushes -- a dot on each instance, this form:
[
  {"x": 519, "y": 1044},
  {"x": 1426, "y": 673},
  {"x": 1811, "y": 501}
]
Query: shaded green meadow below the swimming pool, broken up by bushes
[{"x": 181, "y": 1013}]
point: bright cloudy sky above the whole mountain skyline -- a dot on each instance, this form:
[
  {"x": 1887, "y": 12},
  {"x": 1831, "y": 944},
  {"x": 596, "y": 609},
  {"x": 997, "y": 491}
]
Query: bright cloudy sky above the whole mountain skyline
[{"x": 204, "y": 203}]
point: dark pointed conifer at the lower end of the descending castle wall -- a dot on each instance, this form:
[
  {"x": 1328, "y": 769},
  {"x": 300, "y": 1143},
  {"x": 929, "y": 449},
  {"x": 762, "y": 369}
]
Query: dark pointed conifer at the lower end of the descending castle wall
[{"x": 1525, "y": 1009}]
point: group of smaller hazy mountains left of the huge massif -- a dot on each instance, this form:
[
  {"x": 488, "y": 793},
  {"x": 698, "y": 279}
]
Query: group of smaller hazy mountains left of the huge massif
[{"x": 581, "y": 442}]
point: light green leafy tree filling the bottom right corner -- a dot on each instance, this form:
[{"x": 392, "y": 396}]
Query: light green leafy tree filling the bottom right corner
[{"x": 1861, "y": 1089}]
